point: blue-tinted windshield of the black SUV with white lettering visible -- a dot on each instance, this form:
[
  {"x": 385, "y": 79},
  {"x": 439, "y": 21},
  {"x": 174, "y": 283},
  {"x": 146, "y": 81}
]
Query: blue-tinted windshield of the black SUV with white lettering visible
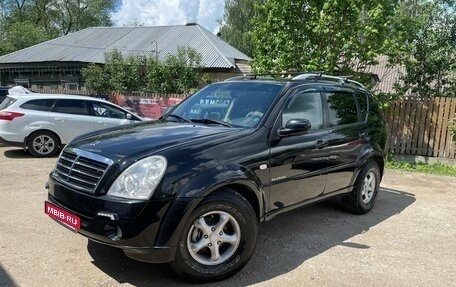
[{"x": 238, "y": 104}]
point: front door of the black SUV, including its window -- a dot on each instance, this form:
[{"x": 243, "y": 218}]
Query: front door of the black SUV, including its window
[{"x": 298, "y": 162}]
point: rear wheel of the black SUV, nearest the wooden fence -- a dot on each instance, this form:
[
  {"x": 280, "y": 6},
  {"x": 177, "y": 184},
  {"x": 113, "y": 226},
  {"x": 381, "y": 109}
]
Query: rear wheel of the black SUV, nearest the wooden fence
[{"x": 362, "y": 198}]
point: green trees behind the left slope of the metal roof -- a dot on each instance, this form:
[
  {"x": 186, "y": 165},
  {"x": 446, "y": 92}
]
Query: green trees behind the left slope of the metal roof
[{"x": 27, "y": 22}]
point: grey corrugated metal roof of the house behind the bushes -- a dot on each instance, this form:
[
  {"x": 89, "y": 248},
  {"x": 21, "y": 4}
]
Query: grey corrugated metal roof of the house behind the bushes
[{"x": 90, "y": 45}]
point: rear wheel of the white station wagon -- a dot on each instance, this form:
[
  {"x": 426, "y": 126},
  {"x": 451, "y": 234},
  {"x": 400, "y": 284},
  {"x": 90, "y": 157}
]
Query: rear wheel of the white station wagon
[{"x": 43, "y": 144}]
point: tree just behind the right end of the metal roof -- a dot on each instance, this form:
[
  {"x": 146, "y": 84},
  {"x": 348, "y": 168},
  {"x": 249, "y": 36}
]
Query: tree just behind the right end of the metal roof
[{"x": 236, "y": 25}]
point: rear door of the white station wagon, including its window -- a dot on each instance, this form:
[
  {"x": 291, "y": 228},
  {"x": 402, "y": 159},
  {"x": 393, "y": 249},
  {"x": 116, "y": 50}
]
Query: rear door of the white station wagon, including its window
[{"x": 70, "y": 118}]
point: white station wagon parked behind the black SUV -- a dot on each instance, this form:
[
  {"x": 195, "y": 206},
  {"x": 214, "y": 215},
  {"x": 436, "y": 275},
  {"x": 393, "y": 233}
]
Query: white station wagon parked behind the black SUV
[{"x": 43, "y": 123}]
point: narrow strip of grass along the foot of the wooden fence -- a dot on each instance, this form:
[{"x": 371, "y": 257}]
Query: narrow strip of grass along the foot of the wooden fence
[{"x": 434, "y": 168}]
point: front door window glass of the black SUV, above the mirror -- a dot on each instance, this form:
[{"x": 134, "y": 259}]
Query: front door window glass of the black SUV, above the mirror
[{"x": 305, "y": 105}]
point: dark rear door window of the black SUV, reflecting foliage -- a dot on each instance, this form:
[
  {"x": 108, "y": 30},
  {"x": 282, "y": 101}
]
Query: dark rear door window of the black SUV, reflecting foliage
[{"x": 342, "y": 108}]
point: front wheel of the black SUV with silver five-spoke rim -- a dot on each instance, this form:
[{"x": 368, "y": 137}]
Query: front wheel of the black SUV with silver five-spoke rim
[{"x": 218, "y": 240}]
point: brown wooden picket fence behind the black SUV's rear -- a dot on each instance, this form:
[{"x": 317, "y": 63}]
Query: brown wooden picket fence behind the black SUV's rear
[{"x": 422, "y": 127}]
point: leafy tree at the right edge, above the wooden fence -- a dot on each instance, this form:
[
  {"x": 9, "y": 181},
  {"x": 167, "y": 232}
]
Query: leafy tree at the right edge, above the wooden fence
[{"x": 428, "y": 52}]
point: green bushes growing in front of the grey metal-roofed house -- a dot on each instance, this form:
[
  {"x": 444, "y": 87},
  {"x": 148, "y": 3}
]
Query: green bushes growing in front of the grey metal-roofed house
[{"x": 178, "y": 73}]
